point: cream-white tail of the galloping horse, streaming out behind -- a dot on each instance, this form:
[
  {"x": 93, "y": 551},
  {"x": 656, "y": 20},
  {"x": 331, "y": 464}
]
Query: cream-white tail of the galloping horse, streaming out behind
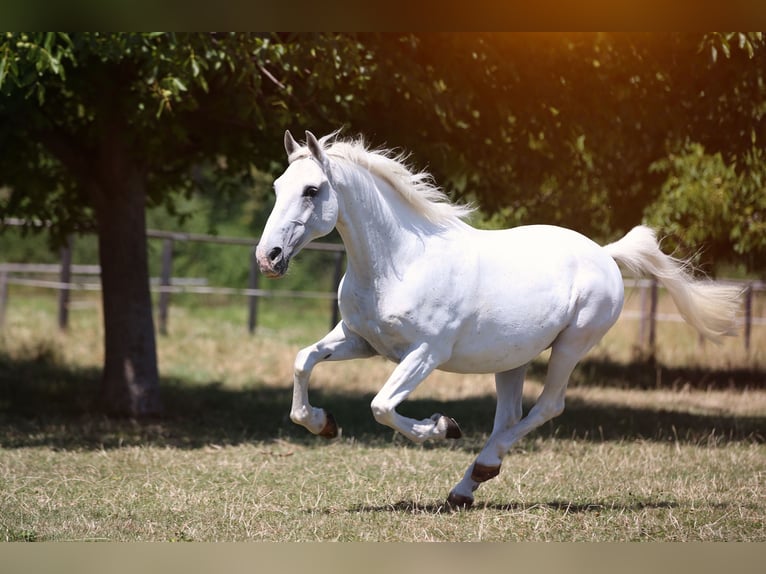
[{"x": 709, "y": 307}]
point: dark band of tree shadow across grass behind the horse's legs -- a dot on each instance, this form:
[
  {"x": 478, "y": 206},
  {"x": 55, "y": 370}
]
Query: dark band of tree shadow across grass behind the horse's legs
[{"x": 43, "y": 403}]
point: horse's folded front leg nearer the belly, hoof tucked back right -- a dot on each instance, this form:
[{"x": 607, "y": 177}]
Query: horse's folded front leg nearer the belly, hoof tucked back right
[{"x": 409, "y": 373}]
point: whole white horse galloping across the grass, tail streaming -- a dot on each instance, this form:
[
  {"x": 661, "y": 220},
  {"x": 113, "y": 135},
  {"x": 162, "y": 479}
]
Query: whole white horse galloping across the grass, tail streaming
[{"x": 428, "y": 291}]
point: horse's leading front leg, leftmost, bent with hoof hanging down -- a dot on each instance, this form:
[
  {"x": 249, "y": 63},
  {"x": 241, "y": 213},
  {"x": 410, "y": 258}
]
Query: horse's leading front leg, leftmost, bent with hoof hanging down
[{"x": 340, "y": 344}]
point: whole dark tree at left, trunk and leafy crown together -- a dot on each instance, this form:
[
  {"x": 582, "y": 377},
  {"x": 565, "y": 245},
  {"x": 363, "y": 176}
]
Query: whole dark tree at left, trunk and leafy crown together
[{"x": 94, "y": 127}]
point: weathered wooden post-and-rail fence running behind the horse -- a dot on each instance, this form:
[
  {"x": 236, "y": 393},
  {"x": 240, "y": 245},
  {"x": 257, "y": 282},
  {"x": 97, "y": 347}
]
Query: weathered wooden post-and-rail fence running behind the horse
[{"x": 70, "y": 278}]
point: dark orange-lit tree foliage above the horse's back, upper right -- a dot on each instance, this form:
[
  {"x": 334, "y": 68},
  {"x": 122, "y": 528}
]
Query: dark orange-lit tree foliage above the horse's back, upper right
[{"x": 568, "y": 128}]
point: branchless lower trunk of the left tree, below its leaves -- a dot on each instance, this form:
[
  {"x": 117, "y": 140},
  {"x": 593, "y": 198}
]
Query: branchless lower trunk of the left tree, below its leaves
[{"x": 130, "y": 383}]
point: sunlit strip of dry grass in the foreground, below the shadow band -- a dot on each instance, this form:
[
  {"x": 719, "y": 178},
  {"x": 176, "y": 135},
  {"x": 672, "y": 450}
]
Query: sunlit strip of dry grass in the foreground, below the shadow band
[{"x": 552, "y": 490}]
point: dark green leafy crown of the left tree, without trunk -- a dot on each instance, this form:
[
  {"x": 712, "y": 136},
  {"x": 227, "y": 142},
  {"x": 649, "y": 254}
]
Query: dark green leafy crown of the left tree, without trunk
[{"x": 191, "y": 108}]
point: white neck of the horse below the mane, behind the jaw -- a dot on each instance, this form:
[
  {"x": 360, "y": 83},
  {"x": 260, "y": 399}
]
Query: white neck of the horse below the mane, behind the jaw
[{"x": 380, "y": 229}]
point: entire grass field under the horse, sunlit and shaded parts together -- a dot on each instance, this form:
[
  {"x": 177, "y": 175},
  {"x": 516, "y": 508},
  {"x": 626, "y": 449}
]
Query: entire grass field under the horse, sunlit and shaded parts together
[{"x": 671, "y": 450}]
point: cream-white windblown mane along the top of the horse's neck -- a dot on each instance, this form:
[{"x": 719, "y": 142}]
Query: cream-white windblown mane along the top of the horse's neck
[{"x": 417, "y": 188}]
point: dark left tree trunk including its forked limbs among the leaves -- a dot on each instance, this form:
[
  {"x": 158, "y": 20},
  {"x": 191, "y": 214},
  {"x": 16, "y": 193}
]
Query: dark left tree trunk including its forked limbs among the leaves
[{"x": 113, "y": 174}]
